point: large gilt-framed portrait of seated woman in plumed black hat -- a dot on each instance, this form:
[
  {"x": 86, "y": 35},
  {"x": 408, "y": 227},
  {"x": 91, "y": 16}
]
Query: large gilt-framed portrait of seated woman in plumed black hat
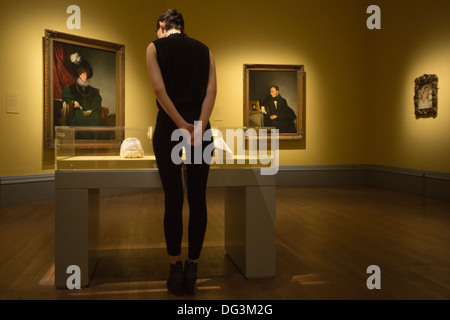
[{"x": 84, "y": 87}]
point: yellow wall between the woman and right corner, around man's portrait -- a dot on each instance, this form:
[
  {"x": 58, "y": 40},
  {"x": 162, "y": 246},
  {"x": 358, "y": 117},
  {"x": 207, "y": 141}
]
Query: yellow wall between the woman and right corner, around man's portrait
[{"x": 321, "y": 35}]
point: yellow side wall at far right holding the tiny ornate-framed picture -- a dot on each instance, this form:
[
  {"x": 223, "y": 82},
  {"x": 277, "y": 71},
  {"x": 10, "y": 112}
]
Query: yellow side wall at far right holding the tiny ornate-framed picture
[{"x": 413, "y": 40}]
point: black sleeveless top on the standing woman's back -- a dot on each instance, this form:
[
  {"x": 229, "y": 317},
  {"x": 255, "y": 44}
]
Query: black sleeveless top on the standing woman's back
[{"x": 184, "y": 64}]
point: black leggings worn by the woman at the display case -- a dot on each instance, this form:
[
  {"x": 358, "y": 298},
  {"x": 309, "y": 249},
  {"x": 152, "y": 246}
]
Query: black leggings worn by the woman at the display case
[{"x": 172, "y": 182}]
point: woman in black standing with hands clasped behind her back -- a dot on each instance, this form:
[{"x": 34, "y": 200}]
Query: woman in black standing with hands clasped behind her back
[{"x": 183, "y": 76}]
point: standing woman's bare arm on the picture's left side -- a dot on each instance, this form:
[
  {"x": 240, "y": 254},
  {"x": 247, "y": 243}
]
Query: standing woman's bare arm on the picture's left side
[{"x": 157, "y": 81}]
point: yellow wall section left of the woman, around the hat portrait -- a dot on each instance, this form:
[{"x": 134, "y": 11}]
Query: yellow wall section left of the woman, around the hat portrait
[{"x": 23, "y": 25}]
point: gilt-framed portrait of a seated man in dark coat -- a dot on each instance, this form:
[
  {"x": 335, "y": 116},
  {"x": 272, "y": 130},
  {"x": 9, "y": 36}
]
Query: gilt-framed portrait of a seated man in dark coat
[{"x": 274, "y": 96}]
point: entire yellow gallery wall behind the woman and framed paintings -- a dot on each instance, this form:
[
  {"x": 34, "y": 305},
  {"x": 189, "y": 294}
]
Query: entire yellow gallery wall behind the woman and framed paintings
[{"x": 346, "y": 64}]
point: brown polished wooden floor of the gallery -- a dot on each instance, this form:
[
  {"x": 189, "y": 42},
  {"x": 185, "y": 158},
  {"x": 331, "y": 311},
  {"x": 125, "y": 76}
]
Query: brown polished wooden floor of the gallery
[{"x": 326, "y": 239}]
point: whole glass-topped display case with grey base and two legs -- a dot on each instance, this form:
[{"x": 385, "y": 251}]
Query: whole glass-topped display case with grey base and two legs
[{"x": 245, "y": 161}]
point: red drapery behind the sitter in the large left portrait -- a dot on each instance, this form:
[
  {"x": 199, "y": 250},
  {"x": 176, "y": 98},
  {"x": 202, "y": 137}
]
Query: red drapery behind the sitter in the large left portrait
[{"x": 62, "y": 78}]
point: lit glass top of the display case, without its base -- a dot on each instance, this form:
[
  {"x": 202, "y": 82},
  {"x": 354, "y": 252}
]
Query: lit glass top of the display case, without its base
[{"x": 109, "y": 148}]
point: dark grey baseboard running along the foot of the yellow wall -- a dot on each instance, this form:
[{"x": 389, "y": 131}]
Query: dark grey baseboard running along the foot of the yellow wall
[{"x": 40, "y": 188}]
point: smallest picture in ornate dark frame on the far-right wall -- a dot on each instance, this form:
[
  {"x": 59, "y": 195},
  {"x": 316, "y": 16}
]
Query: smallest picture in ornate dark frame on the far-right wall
[{"x": 425, "y": 96}]
